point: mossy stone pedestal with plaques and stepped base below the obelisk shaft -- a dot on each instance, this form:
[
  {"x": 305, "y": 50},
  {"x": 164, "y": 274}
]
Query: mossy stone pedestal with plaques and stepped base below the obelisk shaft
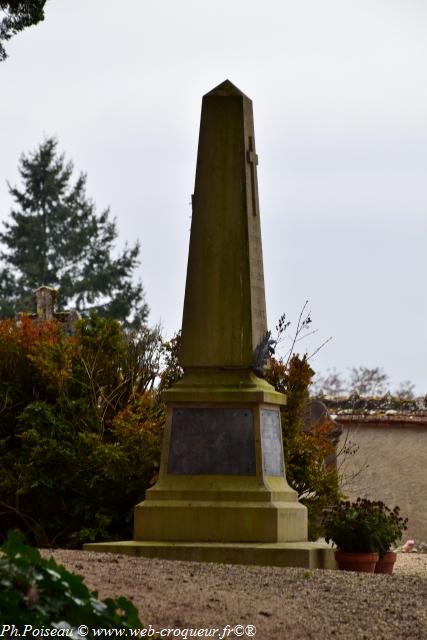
[{"x": 222, "y": 494}]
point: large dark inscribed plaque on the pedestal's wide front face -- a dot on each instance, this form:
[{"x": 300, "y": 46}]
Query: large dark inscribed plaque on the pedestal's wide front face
[{"x": 212, "y": 442}]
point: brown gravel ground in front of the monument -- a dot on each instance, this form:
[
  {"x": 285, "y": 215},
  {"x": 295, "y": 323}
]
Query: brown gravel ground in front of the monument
[{"x": 282, "y": 603}]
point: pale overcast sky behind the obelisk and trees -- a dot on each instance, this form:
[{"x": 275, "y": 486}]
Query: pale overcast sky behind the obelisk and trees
[{"x": 340, "y": 103}]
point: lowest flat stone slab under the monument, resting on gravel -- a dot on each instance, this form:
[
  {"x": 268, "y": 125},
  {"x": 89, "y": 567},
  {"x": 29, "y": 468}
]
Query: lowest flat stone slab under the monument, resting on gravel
[{"x": 310, "y": 555}]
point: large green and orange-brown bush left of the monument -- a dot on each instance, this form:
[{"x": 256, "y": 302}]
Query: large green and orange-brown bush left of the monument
[{"x": 80, "y": 429}]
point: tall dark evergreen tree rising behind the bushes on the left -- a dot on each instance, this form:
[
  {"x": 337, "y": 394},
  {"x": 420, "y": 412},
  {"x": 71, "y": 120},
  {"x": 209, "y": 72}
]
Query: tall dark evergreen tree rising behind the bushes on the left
[{"x": 56, "y": 238}]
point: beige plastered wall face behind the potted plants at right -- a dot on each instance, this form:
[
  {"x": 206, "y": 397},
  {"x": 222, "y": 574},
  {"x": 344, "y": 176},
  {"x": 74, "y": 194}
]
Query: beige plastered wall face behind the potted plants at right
[{"x": 389, "y": 465}]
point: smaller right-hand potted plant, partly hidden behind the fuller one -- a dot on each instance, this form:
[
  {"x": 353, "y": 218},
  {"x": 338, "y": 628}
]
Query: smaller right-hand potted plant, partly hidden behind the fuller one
[{"x": 390, "y": 529}]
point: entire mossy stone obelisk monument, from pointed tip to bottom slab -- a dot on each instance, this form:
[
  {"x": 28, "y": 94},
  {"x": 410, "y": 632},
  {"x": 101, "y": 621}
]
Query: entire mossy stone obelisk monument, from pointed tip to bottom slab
[{"x": 222, "y": 493}]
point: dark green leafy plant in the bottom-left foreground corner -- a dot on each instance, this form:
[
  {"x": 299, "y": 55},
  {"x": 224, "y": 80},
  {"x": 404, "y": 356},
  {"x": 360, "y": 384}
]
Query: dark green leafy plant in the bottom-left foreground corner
[{"x": 39, "y": 592}]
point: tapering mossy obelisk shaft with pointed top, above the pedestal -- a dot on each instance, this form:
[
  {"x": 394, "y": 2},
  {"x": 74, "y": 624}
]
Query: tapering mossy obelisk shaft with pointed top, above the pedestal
[{"x": 224, "y": 310}]
